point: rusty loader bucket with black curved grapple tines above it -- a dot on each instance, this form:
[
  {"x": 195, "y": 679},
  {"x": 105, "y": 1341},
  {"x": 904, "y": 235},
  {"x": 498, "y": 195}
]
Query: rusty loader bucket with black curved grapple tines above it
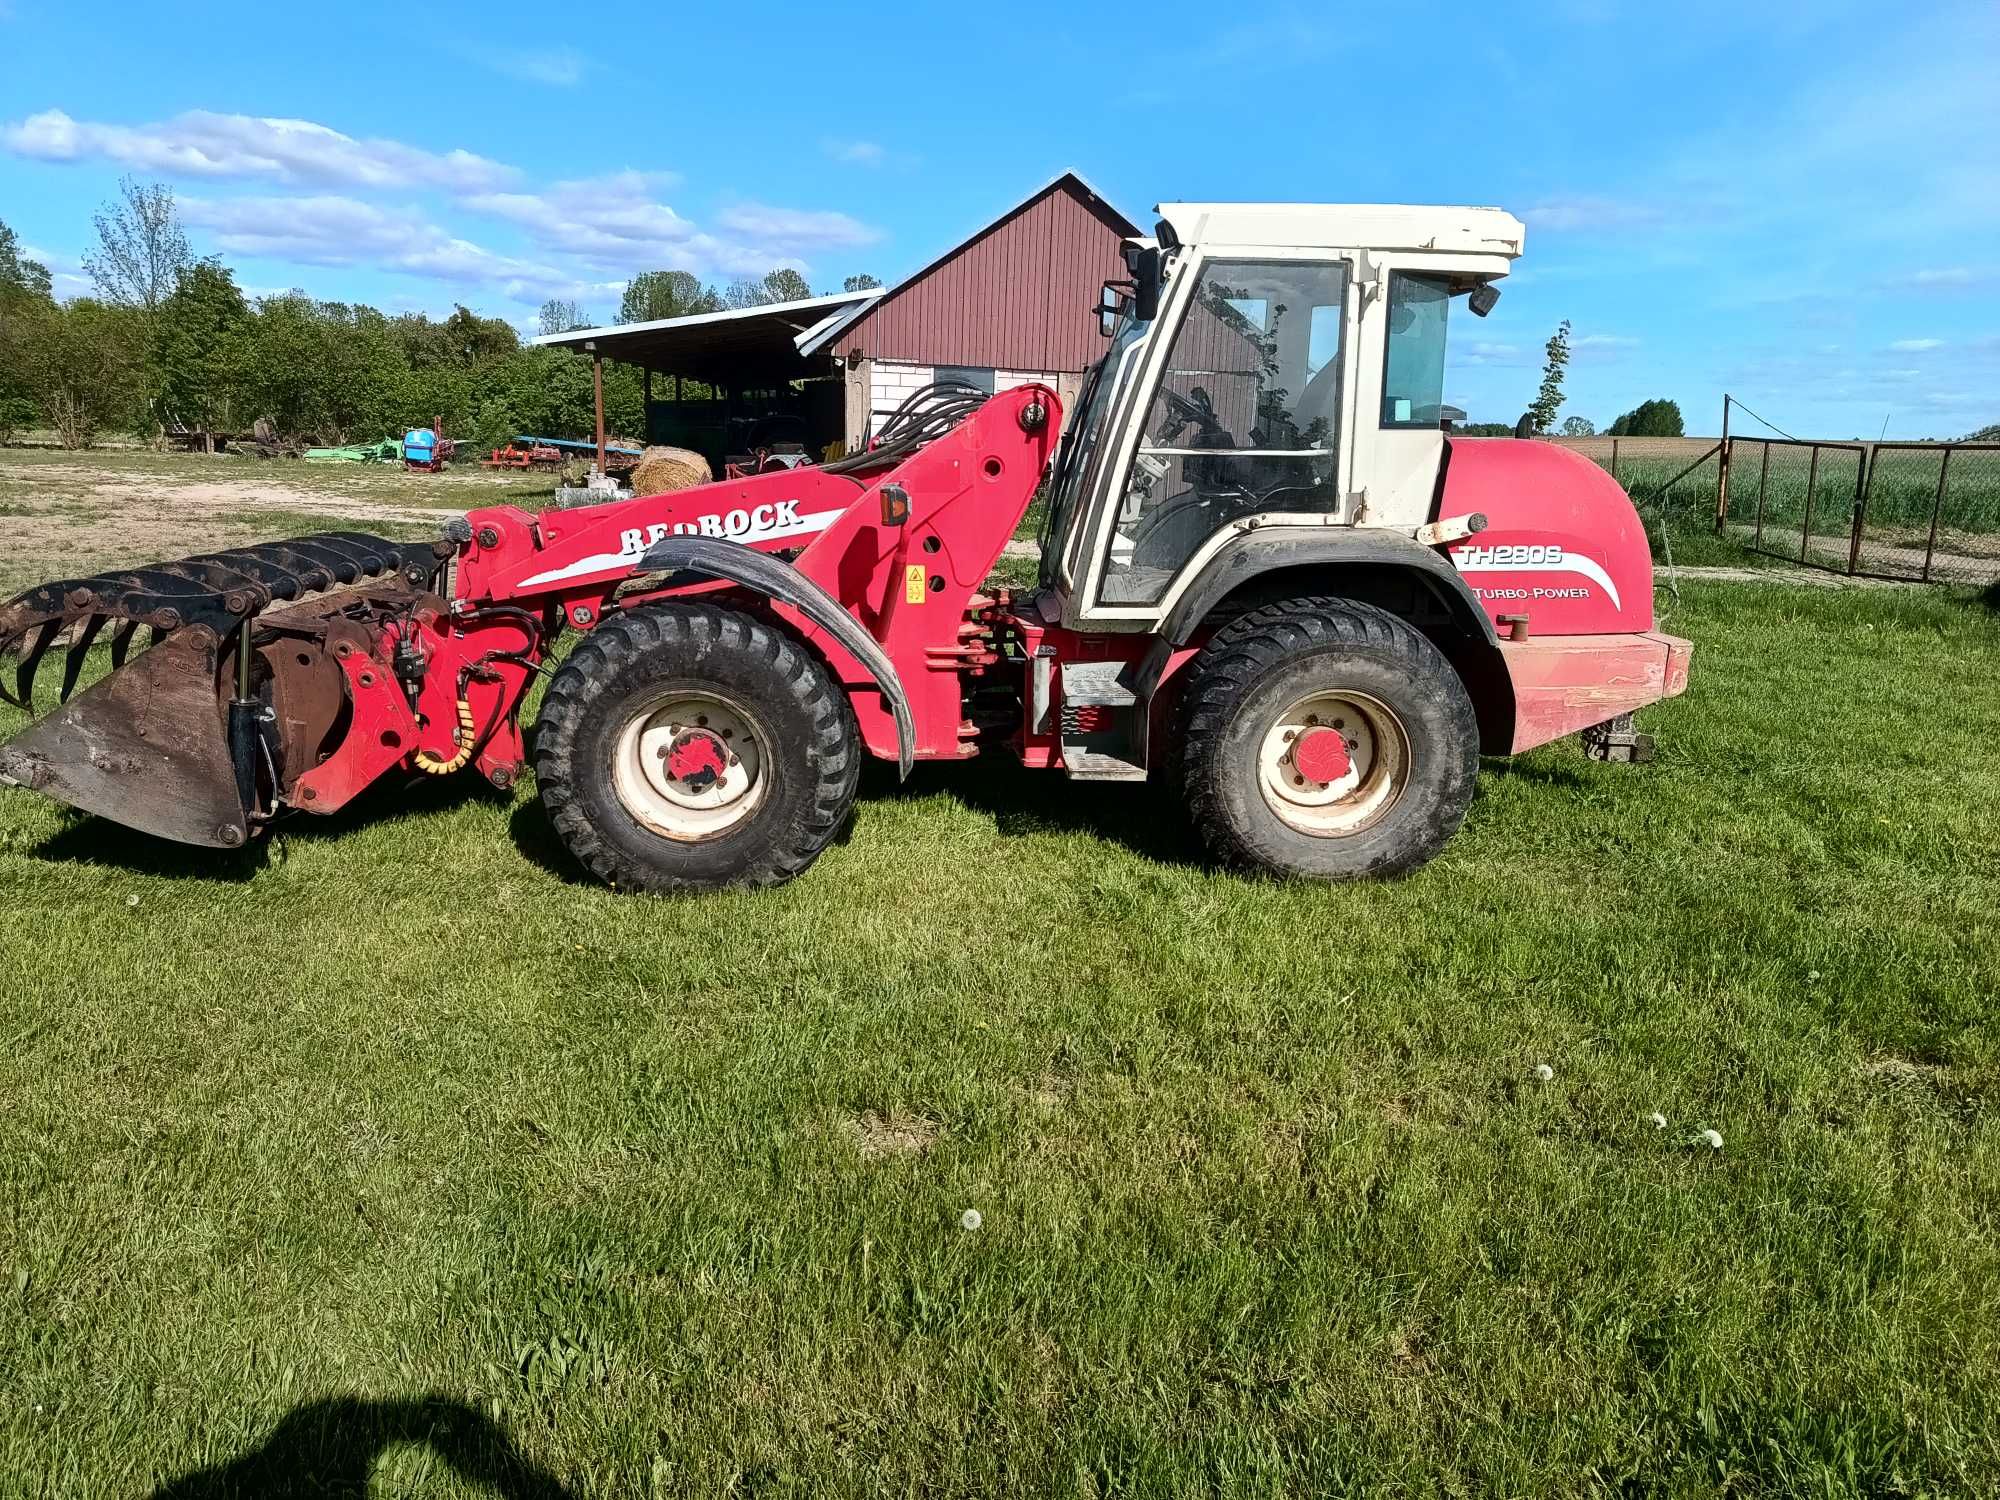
[{"x": 175, "y": 743}]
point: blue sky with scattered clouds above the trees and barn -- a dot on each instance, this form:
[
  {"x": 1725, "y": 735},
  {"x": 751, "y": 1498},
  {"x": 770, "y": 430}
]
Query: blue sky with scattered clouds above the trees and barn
[{"x": 1795, "y": 203}]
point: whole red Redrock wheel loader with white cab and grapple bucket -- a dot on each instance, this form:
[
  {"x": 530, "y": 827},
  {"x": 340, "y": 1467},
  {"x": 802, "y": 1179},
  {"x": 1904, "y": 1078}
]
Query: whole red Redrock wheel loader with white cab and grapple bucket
[{"x": 1269, "y": 581}]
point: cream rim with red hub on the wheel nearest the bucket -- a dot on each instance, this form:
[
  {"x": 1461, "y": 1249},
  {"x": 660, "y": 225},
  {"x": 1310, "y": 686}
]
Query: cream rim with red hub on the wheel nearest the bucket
[{"x": 703, "y": 731}]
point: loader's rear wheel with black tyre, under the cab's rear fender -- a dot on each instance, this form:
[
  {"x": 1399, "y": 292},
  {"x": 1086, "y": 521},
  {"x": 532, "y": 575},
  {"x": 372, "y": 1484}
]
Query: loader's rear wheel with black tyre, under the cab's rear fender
[{"x": 1393, "y": 743}]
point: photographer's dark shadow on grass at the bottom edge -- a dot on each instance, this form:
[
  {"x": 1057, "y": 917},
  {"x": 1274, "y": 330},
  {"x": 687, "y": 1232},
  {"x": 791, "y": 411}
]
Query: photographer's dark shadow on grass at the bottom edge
[{"x": 329, "y": 1451}]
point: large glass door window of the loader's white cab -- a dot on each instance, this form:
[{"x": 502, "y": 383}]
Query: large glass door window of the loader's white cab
[{"x": 1243, "y": 421}]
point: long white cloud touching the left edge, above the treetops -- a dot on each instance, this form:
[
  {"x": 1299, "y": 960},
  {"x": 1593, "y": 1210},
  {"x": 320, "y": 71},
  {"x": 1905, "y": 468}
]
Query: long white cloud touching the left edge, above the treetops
[{"x": 203, "y": 145}]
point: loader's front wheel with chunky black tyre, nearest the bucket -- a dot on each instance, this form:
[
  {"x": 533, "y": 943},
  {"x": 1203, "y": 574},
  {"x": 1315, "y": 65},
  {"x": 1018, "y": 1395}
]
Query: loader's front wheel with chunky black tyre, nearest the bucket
[{"x": 687, "y": 747}]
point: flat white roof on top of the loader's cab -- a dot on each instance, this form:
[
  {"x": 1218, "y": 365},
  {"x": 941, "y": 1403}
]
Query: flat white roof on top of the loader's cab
[{"x": 1351, "y": 227}]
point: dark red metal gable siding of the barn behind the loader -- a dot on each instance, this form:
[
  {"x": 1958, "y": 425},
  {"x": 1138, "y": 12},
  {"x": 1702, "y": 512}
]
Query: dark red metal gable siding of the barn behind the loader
[{"x": 1015, "y": 299}]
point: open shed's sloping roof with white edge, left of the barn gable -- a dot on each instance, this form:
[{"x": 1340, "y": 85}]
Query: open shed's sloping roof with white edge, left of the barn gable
[{"x": 769, "y": 343}]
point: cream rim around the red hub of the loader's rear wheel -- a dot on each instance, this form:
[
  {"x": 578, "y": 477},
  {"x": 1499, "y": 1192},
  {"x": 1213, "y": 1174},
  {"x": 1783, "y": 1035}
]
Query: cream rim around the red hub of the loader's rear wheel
[{"x": 1377, "y": 753}]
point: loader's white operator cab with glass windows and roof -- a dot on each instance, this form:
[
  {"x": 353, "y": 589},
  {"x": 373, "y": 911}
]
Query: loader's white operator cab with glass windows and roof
[{"x": 1267, "y": 365}]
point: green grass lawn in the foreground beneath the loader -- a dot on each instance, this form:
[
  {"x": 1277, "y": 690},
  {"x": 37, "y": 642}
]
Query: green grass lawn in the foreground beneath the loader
[{"x": 403, "y": 1151}]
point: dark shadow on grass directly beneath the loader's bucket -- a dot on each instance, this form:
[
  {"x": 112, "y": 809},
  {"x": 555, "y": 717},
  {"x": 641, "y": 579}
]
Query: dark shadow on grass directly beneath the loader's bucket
[{"x": 99, "y": 841}]
